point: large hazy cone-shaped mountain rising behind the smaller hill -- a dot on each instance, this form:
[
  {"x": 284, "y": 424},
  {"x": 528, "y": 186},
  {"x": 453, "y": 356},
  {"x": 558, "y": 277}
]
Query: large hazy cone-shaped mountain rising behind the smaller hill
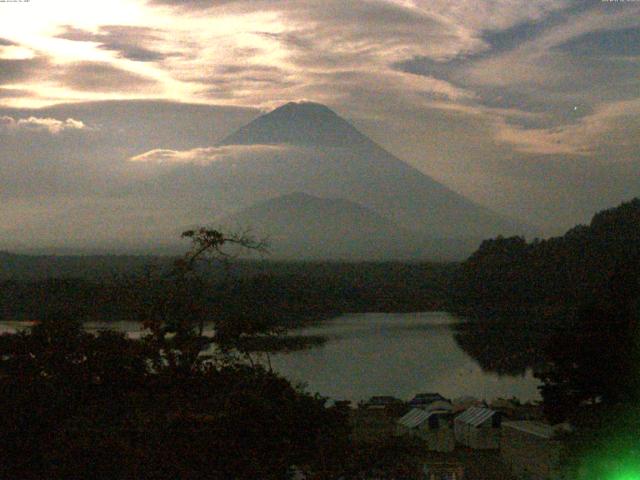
[{"x": 306, "y": 147}]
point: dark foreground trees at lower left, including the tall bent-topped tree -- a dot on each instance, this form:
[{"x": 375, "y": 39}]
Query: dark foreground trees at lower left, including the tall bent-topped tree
[{"x": 102, "y": 405}]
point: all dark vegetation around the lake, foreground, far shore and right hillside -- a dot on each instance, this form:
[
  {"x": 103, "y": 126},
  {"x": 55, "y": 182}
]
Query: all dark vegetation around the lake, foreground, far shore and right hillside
[{"x": 181, "y": 404}]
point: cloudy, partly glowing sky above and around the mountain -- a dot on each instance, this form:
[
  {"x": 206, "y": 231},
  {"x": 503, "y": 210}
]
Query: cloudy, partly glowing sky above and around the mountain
[{"x": 530, "y": 107}]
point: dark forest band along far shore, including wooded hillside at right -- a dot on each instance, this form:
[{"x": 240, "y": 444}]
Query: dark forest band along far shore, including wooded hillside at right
[{"x": 505, "y": 279}]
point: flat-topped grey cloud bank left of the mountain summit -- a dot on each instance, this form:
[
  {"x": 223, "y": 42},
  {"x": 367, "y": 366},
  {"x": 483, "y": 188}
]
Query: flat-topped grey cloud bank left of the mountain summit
[{"x": 80, "y": 149}]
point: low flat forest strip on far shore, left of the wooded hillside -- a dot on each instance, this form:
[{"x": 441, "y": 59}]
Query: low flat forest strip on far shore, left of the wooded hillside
[{"x": 292, "y": 291}]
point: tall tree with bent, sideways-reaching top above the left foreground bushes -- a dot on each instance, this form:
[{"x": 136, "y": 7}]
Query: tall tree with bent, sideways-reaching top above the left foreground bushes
[{"x": 176, "y": 304}]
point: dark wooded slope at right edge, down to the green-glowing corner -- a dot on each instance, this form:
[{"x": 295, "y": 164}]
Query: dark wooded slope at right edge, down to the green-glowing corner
[{"x": 571, "y": 307}]
